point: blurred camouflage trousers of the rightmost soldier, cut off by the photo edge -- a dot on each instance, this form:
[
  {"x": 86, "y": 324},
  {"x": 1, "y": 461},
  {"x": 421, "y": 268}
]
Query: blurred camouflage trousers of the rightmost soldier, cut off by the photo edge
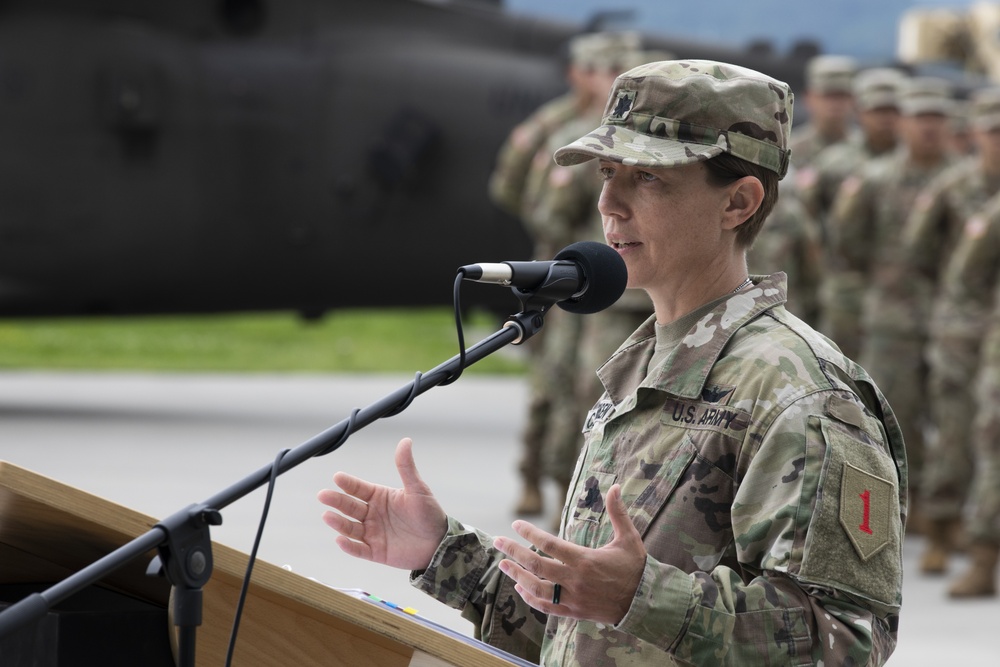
[{"x": 983, "y": 520}]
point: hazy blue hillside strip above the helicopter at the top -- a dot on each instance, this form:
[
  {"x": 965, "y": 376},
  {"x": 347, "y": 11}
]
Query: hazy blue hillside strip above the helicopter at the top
[{"x": 861, "y": 28}]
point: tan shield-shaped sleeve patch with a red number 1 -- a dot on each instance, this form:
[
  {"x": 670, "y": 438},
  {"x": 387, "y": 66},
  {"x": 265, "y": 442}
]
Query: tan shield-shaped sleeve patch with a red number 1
[{"x": 865, "y": 507}]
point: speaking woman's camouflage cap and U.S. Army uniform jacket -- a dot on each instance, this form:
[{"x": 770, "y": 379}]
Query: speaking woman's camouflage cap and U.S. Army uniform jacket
[{"x": 763, "y": 469}]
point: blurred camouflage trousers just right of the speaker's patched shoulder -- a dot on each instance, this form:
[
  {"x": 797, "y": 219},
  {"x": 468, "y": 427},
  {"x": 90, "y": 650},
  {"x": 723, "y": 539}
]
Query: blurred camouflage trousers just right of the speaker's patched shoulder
[{"x": 895, "y": 360}]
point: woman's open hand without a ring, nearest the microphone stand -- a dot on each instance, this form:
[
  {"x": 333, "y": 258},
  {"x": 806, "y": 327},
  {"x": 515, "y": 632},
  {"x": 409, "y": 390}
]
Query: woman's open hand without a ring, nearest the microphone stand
[{"x": 397, "y": 527}]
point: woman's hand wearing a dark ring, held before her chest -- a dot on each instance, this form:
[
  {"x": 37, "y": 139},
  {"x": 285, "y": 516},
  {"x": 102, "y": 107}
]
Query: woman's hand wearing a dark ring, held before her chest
[{"x": 595, "y": 584}]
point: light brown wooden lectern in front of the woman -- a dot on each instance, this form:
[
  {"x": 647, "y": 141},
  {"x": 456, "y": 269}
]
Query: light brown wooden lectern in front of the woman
[{"x": 49, "y": 530}]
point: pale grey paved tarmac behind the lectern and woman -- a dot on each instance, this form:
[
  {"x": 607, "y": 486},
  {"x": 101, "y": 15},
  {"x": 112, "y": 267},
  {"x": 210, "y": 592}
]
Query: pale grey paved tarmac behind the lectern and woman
[{"x": 157, "y": 443}]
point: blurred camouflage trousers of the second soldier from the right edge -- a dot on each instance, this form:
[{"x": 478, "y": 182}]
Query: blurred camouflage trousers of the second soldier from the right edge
[{"x": 952, "y": 361}]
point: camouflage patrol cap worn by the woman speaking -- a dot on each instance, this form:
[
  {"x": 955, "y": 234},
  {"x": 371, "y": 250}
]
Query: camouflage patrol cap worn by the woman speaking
[{"x": 677, "y": 112}]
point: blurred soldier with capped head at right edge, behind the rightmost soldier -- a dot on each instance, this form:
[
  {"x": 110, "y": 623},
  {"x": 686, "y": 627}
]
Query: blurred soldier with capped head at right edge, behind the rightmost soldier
[{"x": 932, "y": 231}]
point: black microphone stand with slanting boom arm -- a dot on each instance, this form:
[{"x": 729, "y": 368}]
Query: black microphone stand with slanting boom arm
[{"x": 182, "y": 540}]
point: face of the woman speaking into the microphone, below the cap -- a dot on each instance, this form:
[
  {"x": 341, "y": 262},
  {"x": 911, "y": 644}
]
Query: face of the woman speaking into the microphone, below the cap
[{"x": 663, "y": 222}]
